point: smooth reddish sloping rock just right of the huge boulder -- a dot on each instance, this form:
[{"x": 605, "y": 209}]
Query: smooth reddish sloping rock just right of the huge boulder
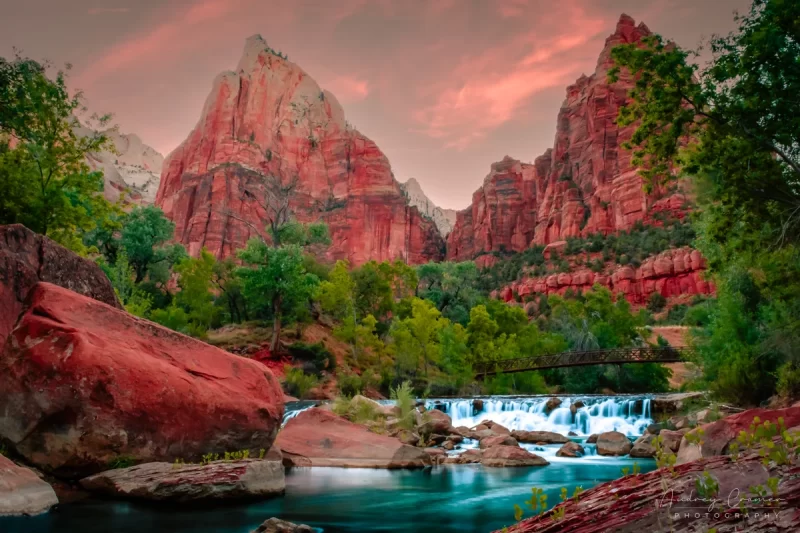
[{"x": 321, "y": 438}]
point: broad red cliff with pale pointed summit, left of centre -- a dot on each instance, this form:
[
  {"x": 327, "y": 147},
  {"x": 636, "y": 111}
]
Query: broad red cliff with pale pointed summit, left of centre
[{"x": 270, "y": 120}]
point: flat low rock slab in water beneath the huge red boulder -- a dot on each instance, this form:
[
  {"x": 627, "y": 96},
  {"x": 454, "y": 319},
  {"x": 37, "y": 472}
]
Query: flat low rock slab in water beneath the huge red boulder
[{"x": 220, "y": 480}]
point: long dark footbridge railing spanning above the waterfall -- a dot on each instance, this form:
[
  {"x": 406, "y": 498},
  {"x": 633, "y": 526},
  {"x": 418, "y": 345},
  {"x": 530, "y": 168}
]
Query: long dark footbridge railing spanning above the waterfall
[{"x": 645, "y": 354}]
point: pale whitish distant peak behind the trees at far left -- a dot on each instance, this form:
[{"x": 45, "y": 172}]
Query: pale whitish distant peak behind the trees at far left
[{"x": 135, "y": 168}]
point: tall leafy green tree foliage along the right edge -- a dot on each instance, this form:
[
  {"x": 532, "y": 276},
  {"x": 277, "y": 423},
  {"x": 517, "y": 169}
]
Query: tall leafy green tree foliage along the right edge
[{"x": 734, "y": 128}]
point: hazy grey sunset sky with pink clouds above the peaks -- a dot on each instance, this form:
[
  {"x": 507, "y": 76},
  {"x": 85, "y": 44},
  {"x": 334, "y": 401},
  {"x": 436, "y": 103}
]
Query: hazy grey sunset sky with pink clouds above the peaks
[{"x": 444, "y": 87}]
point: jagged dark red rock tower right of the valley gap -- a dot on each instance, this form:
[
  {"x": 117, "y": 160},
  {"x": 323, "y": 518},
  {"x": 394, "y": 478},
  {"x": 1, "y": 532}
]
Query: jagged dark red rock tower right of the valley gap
[{"x": 584, "y": 184}]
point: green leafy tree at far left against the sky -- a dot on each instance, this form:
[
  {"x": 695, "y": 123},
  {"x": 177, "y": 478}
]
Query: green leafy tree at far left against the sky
[{"x": 46, "y": 182}]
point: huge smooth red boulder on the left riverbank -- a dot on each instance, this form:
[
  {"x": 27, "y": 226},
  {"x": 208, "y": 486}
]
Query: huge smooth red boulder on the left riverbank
[{"x": 84, "y": 383}]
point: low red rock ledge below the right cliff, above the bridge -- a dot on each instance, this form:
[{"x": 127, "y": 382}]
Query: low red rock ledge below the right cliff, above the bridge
[{"x": 671, "y": 273}]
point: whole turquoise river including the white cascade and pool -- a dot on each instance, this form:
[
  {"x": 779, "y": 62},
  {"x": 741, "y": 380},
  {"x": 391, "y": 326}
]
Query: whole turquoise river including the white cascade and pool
[{"x": 448, "y": 498}]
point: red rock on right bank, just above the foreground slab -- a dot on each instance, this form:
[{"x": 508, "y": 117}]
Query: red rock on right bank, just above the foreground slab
[{"x": 718, "y": 435}]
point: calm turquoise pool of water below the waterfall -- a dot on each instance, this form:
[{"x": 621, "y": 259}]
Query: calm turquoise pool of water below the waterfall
[{"x": 450, "y": 498}]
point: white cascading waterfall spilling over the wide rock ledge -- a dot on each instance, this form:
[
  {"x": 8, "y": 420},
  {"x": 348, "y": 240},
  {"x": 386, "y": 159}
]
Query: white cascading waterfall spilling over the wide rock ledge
[{"x": 628, "y": 415}]
